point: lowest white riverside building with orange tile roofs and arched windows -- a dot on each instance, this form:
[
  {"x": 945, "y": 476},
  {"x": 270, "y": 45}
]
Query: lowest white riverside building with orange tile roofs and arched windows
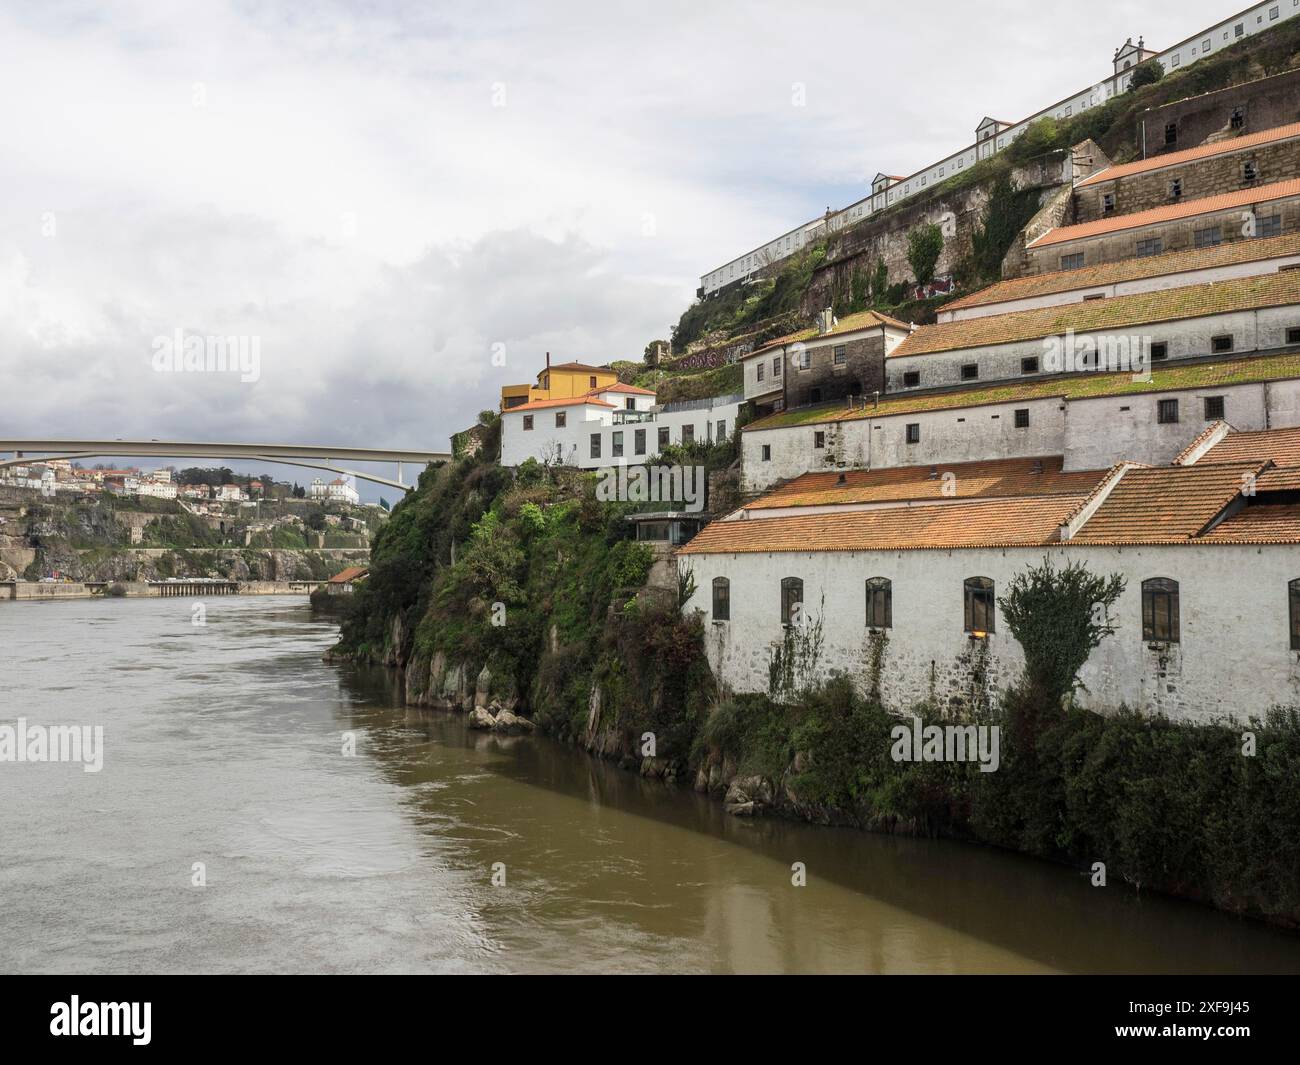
[{"x": 894, "y": 579}]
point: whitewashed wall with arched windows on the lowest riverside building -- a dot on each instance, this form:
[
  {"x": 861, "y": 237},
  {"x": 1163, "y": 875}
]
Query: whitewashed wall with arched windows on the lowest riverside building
[{"x": 1234, "y": 659}]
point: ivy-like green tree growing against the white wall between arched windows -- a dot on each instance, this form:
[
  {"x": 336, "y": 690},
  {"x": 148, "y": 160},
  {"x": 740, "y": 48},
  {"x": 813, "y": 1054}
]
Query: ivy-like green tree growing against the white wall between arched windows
[{"x": 1059, "y": 617}]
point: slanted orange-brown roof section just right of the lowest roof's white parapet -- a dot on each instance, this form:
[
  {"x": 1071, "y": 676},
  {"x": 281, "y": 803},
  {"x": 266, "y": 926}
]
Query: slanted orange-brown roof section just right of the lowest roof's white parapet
[{"x": 1165, "y": 505}]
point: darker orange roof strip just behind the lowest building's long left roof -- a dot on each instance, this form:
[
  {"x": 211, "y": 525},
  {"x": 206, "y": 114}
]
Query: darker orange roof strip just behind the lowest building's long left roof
[{"x": 999, "y": 478}]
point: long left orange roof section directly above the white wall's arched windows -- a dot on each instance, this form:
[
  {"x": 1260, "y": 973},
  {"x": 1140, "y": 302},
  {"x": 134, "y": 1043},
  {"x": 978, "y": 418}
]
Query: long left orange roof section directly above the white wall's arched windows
[{"x": 980, "y": 523}]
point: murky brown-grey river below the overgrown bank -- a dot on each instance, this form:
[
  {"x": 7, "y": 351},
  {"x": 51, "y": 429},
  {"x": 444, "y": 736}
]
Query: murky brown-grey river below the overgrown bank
[{"x": 224, "y": 746}]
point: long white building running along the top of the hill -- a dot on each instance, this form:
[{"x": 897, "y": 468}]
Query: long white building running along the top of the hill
[{"x": 993, "y": 136}]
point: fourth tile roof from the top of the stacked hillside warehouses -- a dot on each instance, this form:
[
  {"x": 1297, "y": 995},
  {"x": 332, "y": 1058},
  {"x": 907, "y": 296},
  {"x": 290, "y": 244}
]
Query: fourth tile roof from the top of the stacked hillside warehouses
[{"x": 1138, "y": 309}]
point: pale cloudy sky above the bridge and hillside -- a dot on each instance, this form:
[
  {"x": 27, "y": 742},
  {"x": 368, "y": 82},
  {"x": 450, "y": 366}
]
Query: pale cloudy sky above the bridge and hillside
[{"x": 384, "y": 194}]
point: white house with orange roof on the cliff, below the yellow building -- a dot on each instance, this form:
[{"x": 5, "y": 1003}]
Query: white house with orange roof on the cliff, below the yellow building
[{"x": 619, "y": 425}]
